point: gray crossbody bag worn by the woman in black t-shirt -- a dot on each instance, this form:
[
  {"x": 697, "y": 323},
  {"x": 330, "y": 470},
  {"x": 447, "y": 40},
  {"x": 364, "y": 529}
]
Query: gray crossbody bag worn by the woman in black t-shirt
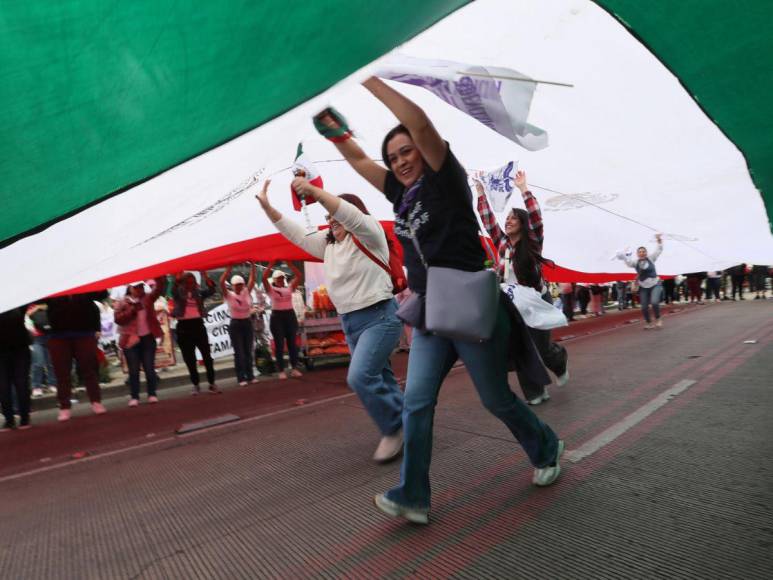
[{"x": 458, "y": 304}]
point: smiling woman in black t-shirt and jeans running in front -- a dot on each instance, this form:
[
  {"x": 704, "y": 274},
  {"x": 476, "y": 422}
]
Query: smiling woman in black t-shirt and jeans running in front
[{"x": 433, "y": 203}]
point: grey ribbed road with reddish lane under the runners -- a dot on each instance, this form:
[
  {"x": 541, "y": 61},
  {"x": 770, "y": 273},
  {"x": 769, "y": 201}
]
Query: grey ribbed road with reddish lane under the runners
[{"x": 676, "y": 482}]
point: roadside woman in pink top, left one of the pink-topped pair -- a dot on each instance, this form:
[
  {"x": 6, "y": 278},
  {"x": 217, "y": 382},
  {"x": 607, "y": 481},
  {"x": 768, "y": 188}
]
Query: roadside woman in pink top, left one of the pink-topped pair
[{"x": 239, "y": 300}]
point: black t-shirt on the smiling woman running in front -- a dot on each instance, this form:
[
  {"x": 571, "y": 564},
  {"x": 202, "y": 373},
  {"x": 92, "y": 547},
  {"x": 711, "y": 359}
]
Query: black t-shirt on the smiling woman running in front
[{"x": 442, "y": 217}]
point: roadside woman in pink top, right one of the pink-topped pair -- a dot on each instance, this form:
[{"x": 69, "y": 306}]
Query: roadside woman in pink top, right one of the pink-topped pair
[{"x": 284, "y": 323}]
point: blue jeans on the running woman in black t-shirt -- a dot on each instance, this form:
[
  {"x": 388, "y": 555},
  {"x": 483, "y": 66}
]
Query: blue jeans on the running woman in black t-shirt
[{"x": 429, "y": 362}]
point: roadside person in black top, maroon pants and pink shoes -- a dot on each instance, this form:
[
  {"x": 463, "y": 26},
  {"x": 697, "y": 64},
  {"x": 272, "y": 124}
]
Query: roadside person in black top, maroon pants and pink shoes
[{"x": 75, "y": 323}]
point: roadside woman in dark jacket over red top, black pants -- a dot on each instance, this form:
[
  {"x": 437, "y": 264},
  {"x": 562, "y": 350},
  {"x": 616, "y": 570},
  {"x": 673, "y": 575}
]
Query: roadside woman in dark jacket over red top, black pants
[{"x": 191, "y": 333}]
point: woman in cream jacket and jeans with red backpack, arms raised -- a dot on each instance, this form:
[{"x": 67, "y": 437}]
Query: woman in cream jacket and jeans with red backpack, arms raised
[{"x": 361, "y": 291}]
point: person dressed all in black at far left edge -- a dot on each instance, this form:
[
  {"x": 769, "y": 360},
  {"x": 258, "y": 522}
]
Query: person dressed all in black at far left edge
[{"x": 14, "y": 369}]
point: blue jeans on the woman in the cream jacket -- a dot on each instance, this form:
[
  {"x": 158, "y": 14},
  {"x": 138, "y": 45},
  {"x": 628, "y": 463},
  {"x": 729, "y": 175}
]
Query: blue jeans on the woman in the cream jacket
[{"x": 372, "y": 334}]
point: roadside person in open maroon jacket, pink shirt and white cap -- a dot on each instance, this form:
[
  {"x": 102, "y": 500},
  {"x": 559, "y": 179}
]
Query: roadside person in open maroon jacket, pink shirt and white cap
[{"x": 138, "y": 329}]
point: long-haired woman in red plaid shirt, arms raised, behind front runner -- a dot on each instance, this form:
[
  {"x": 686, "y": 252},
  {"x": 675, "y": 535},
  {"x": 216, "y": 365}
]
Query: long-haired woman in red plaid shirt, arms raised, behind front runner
[{"x": 519, "y": 248}]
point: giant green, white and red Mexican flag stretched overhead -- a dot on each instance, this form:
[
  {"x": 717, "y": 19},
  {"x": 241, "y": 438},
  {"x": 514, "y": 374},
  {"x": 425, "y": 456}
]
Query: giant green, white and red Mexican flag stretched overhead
[{"x": 135, "y": 134}]
